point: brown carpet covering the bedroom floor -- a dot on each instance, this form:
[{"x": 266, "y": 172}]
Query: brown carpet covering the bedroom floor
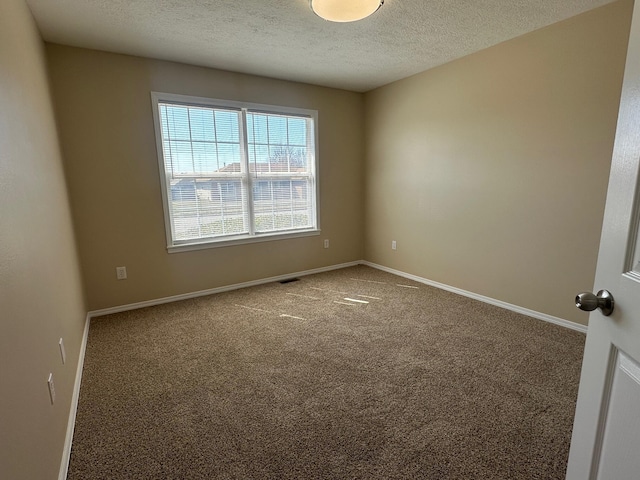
[{"x": 294, "y": 381}]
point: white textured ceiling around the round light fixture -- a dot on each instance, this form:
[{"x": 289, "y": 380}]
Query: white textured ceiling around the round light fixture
[{"x": 284, "y": 39}]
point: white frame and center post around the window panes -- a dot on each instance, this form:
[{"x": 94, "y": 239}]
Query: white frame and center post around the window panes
[{"x": 252, "y": 237}]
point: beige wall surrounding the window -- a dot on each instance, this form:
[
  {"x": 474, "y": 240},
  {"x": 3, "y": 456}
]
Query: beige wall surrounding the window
[{"x": 103, "y": 108}]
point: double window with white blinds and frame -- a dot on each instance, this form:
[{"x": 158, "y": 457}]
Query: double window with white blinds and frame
[{"x": 233, "y": 172}]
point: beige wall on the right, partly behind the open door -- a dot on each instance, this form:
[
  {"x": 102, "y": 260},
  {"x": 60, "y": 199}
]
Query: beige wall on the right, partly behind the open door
[{"x": 491, "y": 172}]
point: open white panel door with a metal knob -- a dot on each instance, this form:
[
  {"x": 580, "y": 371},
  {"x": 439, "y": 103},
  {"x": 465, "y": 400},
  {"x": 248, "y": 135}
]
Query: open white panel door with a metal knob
[{"x": 606, "y": 431}]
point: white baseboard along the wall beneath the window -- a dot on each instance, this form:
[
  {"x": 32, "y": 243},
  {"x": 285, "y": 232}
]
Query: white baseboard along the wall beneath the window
[{"x": 211, "y": 291}]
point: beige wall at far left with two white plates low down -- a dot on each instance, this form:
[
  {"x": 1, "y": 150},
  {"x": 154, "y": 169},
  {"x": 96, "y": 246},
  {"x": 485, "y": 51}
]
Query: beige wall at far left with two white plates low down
[{"x": 40, "y": 290}]
